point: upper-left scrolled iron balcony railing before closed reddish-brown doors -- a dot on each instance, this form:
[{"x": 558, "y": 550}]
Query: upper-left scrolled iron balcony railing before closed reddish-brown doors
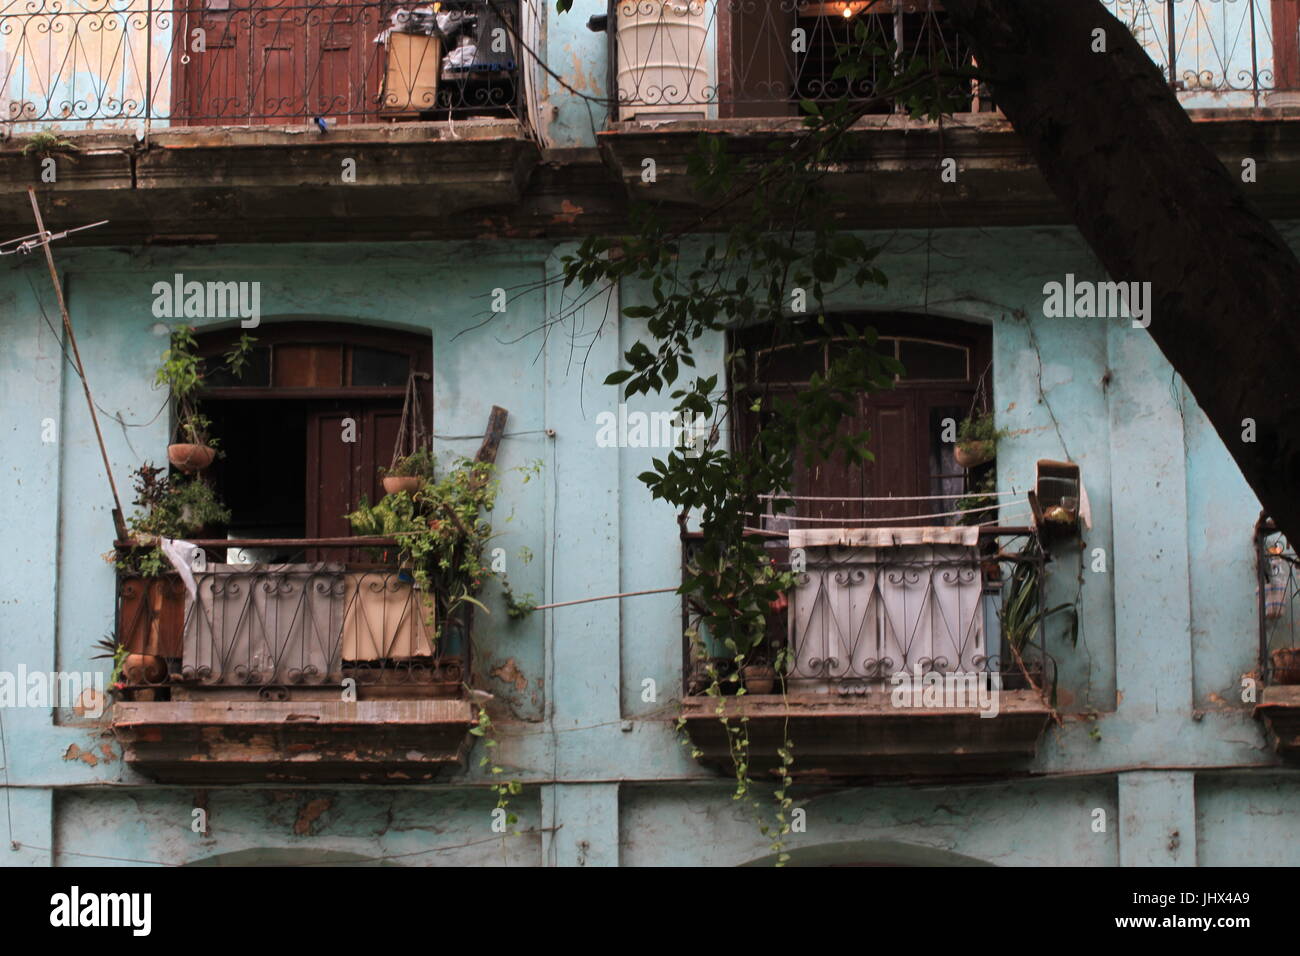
[{"x": 140, "y": 64}]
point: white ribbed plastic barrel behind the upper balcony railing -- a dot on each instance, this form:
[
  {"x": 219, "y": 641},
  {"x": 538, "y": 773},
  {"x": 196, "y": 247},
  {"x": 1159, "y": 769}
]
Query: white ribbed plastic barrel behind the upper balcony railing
[{"x": 664, "y": 68}]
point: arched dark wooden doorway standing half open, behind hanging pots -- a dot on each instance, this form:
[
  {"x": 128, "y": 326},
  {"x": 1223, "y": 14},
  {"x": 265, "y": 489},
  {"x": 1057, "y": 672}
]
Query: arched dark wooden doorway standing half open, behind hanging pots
[{"x": 307, "y": 426}]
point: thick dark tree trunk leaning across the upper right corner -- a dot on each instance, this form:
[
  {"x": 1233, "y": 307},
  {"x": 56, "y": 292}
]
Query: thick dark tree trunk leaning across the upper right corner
[{"x": 1156, "y": 205}]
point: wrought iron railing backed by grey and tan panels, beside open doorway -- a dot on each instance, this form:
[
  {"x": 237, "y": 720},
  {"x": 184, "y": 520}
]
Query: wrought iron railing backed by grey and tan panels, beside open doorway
[{"x": 280, "y": 631}]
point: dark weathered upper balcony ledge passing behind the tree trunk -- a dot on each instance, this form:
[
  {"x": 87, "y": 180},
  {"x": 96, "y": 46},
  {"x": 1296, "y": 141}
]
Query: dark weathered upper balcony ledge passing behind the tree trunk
[{"x": 890, "y": 172}]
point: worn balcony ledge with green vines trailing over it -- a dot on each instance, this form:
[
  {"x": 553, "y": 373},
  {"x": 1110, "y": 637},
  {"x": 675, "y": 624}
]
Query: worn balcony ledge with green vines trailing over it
[{"x": 870, "y": 738}]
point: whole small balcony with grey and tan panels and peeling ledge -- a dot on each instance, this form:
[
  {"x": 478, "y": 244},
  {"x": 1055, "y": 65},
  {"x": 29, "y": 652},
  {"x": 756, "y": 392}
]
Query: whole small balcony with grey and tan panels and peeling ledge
[{"x": 300, "y": 672}]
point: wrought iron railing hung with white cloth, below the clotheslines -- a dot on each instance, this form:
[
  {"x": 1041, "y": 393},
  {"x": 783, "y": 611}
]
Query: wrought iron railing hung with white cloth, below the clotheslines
[{"x": 938, "y": 602}]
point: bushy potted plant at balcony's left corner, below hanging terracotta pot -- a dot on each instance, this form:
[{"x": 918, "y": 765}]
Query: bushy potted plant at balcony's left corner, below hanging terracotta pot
[{"x": 166, "y": 507}]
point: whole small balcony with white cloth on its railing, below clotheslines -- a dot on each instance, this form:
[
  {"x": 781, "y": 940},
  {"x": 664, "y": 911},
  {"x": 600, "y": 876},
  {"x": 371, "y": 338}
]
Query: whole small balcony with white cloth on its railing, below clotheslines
[{"x": 904, "y": 657}]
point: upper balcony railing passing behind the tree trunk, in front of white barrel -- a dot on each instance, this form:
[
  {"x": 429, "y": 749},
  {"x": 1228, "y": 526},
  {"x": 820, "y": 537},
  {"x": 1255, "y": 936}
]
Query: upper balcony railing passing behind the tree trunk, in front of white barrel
[{"x": 718, "y": 59}]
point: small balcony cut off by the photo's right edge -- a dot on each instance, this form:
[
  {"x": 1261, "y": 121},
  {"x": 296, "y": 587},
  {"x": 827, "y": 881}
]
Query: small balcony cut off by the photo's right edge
[{"x": 1280, "y": 638}]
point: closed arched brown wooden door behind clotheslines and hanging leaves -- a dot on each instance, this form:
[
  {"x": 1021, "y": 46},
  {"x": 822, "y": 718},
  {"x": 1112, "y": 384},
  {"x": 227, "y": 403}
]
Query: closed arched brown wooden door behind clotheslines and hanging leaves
[{"x": 948, "y": 375}]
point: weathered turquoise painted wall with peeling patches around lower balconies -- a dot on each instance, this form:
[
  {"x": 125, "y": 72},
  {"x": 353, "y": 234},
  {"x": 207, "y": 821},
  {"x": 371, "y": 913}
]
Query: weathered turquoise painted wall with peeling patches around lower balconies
[{"x": 1168, "y": 629}]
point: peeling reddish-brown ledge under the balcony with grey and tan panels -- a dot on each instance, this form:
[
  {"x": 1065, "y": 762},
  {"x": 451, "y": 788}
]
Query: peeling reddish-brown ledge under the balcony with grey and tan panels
[{"x": 244, "y": 742}]
